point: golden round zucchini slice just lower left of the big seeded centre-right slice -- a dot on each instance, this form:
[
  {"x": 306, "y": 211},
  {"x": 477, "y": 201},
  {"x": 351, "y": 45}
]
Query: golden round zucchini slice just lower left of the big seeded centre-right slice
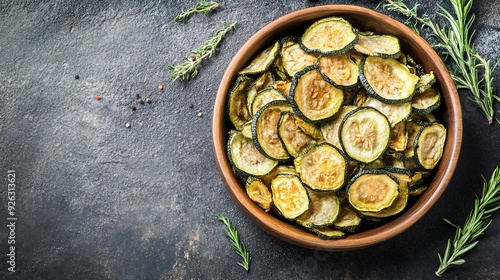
[{"x": 322, "y": 167}]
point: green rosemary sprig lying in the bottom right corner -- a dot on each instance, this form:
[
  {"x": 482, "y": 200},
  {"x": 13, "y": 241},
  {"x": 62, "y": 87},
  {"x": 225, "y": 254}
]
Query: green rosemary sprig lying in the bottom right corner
[{"x": 477, "y": 222}]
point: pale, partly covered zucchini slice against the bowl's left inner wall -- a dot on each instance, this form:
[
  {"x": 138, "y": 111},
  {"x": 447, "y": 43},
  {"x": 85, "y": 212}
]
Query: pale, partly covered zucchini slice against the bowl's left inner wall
[{"x": 245, "y": 157}]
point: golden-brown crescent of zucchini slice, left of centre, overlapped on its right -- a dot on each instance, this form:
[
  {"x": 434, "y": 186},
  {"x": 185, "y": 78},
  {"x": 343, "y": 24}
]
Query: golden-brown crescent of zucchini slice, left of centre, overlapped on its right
[{"x": 265, "y": 129}]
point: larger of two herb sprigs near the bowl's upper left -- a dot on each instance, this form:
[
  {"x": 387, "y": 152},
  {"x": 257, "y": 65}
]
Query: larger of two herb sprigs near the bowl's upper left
[{"x": 189, "y": 68}]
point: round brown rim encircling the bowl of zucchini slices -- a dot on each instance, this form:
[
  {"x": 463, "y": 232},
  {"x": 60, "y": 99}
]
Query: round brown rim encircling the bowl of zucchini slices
[{"x": 292, "y": 233}]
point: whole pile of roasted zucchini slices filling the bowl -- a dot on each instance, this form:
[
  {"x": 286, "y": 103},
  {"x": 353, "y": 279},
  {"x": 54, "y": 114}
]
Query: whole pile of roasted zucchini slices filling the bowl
[{"x": 334, "y": 130}]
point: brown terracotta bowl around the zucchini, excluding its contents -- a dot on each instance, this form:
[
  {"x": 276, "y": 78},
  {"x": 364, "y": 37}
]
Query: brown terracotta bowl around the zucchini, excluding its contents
[{"x": 364, "y": 19}]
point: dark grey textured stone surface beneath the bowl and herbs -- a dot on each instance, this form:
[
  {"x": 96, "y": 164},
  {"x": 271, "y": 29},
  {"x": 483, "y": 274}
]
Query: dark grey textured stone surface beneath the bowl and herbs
[{"x": 95, "y": 200}]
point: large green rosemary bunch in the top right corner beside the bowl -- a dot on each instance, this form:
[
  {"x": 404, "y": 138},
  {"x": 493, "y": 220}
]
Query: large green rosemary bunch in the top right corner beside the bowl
[{"x": 470, "y": 71}]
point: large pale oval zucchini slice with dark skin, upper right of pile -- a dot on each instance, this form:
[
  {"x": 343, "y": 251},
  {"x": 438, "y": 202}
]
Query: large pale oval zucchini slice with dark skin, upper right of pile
[{"x": 387, "y": 80}]
